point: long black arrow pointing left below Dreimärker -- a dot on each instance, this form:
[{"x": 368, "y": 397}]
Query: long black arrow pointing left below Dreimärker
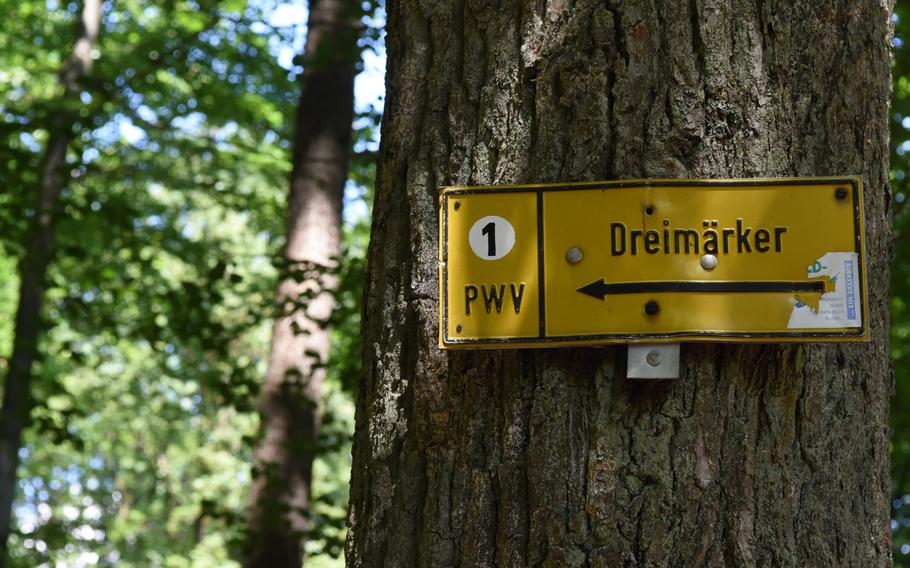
[{"x": 600, "y": 288}]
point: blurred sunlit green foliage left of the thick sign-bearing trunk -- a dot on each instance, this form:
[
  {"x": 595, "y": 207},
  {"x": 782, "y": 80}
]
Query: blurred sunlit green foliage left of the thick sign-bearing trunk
[{"x": 160, "y": 294}]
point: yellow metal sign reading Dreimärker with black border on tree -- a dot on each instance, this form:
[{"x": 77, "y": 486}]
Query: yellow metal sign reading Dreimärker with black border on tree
[{"x": 762, "y": 260}]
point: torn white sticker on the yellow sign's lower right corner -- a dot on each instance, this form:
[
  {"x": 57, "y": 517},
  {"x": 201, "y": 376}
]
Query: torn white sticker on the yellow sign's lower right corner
[{"x": 836, "y": 308}]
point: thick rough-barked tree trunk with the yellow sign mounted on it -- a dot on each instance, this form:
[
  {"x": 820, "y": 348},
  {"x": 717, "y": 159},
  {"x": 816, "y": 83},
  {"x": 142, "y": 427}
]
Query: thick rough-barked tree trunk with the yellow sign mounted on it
[{"x": 759, "y": 455}]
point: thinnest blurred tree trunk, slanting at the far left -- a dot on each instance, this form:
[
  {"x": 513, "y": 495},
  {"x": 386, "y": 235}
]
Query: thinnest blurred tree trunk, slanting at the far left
[{"x": 17, "y": 401}]
